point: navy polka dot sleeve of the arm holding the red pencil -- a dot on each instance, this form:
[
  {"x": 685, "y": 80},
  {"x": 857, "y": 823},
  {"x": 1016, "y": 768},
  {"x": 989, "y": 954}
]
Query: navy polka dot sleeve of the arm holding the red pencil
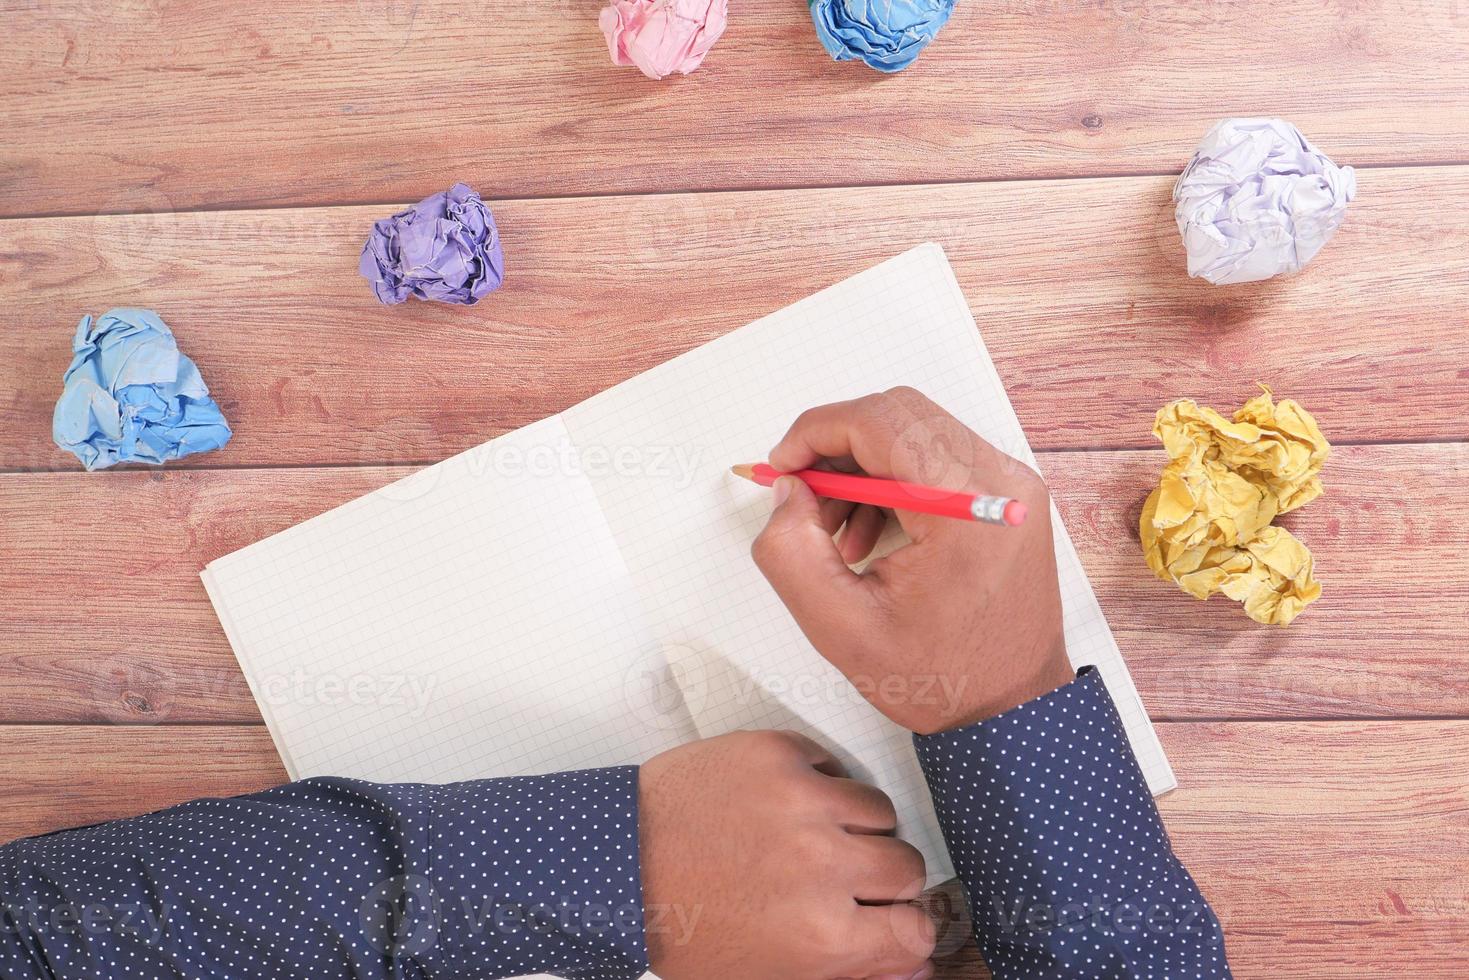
[{"x": 1061, "y": 850}]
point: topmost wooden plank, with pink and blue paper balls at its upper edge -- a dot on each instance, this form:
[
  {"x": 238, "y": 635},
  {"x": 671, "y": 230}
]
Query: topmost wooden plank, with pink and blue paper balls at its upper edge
[{"x": 170, "y": 107}]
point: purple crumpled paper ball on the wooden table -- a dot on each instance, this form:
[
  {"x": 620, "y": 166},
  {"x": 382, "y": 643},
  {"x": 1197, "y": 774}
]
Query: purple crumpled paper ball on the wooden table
[{"x": 446, "y": 249}]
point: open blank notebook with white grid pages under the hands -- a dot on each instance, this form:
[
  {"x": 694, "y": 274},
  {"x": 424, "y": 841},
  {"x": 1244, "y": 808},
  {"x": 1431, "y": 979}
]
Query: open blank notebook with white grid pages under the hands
[{"x": 580, "y": 593}]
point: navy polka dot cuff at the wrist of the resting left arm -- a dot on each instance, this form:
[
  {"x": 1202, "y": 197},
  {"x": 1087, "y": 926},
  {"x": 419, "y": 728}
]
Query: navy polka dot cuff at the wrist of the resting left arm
[{"x": 538, "y": 875}]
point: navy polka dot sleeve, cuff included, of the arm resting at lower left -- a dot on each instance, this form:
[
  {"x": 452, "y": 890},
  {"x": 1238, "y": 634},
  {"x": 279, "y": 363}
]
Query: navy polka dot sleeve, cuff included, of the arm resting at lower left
[{"x": 334, "y": 878}]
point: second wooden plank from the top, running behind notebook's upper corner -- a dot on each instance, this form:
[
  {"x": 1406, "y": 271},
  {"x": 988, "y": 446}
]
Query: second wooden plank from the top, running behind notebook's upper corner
[{"x": 1078, "y": 286}]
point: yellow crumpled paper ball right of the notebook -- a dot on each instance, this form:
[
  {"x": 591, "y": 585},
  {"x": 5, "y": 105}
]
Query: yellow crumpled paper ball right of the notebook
[{"x": 1208, "y": 525}]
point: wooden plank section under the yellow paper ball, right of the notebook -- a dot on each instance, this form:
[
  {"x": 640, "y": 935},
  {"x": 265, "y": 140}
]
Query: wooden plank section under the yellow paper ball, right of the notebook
[{"x": 1386, "y": 640}]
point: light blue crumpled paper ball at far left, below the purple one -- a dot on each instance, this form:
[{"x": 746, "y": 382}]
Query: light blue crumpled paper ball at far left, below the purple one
[{"x": 131, "y": 397}]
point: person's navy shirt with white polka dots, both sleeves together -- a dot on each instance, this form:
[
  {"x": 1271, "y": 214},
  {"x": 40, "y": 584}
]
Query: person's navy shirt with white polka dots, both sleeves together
[{"x": 1050, "y": 822}]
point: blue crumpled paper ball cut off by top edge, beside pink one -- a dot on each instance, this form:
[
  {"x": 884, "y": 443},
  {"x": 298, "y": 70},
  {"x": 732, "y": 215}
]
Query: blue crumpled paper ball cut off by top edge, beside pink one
[{"x": 885, "y": 35}]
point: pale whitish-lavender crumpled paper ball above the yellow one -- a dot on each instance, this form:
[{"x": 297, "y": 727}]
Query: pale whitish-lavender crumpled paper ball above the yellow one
[{"x": 1258, "y": 201}]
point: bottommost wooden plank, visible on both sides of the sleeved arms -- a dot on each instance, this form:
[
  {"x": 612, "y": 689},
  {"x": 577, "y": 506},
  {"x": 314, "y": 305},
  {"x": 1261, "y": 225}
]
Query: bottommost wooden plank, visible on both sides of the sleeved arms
[{"x": 1327, "y": 850}]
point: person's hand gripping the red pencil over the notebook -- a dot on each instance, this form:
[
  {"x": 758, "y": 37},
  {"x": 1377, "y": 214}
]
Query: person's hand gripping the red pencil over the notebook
[{"x": 959, "y": 625}]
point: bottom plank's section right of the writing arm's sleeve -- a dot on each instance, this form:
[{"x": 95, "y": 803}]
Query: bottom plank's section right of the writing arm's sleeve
[{"x": 1326, "y": 849}]
